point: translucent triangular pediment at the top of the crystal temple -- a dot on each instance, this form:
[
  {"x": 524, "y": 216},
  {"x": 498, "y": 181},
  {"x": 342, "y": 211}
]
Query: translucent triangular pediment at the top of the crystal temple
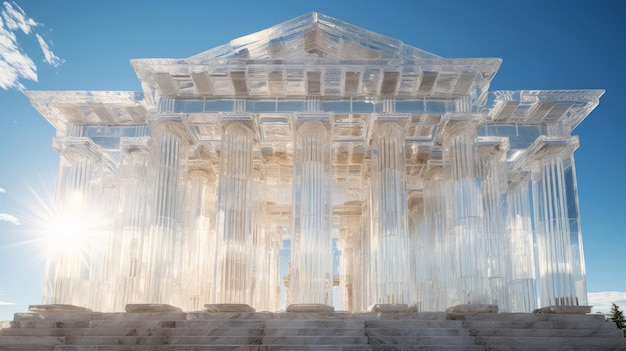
[{"x": 315, "y": 35}]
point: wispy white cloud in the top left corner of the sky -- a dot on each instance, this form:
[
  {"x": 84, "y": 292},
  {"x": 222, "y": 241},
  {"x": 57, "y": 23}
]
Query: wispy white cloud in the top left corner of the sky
[{"x": 15, "y": 64}]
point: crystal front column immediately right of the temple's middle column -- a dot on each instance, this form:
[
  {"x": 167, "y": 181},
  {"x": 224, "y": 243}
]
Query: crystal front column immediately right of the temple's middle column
[{"x": 390, "y": 264}]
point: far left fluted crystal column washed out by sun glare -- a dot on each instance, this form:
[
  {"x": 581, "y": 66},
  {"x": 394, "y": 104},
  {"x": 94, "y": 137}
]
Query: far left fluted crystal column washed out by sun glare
[{"x": 67, "y": 276}]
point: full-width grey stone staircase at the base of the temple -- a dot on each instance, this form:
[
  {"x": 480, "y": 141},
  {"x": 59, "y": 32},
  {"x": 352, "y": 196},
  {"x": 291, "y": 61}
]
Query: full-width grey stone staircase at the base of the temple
[{"x": 178, "y": 331}]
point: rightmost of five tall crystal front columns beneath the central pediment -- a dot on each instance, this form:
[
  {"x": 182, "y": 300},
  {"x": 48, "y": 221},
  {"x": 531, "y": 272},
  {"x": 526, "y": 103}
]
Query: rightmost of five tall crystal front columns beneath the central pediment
[{"x": 466, "y": 207}]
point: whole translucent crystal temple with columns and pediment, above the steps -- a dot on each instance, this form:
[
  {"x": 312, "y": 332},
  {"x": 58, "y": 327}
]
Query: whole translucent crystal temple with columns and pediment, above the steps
[{"x": 316, "y": 162}]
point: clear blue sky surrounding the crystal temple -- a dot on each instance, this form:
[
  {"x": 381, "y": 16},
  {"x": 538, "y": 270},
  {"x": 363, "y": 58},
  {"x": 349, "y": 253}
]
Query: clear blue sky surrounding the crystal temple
[{"x": 544, "y": 45}]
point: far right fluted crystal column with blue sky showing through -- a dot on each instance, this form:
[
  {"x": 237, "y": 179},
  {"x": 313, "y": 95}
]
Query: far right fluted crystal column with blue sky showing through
[{"x": 555, "y": 210}]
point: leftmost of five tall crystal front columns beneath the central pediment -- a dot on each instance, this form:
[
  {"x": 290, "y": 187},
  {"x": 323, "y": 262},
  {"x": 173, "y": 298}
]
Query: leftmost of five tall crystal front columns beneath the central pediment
[{"x": 162, "y": 249}]
